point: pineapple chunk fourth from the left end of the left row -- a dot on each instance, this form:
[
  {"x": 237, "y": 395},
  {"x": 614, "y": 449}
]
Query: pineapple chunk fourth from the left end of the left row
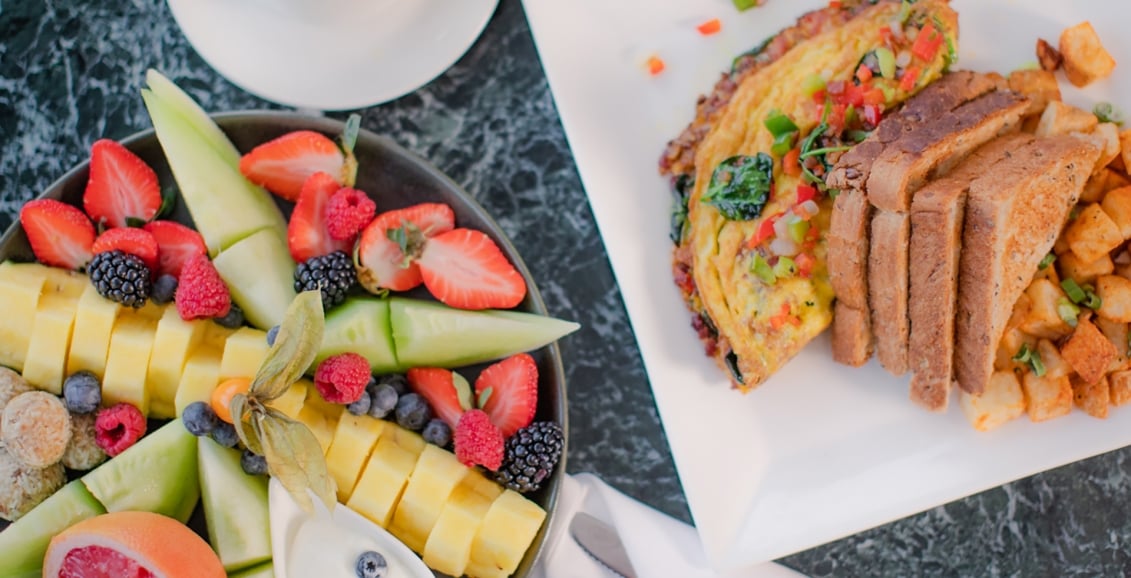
[{"x": 128, "y": 363}]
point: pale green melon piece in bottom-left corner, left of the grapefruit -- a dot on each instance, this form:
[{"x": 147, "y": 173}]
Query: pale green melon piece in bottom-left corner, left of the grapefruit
[{"x": 24, "y": 544}]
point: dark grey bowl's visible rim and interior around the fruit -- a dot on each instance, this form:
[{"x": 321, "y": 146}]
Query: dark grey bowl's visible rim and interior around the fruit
[{"x": 394, "y": 178}]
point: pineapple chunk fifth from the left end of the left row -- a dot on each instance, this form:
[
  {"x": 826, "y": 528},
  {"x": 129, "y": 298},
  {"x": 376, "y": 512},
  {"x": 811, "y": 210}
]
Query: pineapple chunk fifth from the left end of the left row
[{"x": 172, "y": 342}]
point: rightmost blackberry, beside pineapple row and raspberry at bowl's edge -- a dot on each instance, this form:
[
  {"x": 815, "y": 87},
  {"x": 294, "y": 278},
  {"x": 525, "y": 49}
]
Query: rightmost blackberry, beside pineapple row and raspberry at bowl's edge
[{"x": 531, "y": 456}]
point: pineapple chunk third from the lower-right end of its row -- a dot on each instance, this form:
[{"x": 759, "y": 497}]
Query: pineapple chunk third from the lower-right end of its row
[{"x": 437, "y": 475}]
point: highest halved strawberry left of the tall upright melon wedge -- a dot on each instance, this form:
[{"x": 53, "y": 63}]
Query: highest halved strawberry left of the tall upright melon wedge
[{"x": 123, "y": 191}]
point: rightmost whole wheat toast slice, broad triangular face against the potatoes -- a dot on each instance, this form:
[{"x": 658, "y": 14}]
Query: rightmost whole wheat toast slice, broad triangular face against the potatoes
[{"x": 1014, "y": 215}]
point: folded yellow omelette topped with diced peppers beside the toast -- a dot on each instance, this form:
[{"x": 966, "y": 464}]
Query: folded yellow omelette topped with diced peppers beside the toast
[{"x": 754, "y": 212}]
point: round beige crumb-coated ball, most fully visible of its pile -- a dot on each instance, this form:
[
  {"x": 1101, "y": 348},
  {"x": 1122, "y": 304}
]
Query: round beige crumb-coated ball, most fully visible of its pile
[{"x": 37, "y": 429}]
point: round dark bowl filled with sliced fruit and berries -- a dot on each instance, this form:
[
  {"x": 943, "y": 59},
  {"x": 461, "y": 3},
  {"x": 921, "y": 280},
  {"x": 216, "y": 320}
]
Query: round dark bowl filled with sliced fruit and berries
[{"x": 235, "y": 312}]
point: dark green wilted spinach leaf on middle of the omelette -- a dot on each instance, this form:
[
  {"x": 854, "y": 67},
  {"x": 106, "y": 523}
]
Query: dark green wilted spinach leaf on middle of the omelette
[{"x": 741, "y": 186}]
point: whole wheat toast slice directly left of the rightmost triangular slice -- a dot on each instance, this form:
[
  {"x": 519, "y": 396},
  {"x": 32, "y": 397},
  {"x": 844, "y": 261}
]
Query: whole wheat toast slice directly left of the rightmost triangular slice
[{"x": 938, "y": 212}]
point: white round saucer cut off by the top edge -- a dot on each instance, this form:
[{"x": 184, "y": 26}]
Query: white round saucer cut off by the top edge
[{"x": 342, "y": 55}]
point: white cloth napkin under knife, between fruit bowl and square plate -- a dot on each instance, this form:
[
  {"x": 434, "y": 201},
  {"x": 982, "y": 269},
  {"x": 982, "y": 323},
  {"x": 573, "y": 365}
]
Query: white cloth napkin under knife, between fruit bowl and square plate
[{"x": 658, "y": 545}]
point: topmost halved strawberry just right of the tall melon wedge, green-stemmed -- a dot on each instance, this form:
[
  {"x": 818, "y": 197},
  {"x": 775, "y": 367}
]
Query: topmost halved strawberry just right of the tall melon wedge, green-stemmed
[{"x": 283, "y": 166}]
